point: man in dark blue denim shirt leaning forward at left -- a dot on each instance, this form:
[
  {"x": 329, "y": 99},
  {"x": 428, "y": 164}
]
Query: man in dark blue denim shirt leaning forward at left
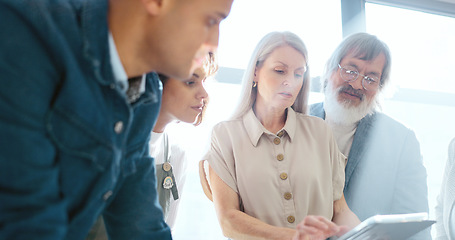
[{"x": 73, "y": 129}]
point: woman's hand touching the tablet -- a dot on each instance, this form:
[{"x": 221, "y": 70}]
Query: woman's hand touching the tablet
[{"x": 317, "y": 228}]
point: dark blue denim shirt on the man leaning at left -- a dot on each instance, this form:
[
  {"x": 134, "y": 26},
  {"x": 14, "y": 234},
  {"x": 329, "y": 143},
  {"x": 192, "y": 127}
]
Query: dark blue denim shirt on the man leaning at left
[{"x": 71, "y": 146}]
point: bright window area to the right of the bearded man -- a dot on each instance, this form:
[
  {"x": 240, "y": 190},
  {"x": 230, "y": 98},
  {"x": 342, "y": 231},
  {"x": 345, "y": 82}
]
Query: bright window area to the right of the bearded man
[{"x": 423, "y": 48}]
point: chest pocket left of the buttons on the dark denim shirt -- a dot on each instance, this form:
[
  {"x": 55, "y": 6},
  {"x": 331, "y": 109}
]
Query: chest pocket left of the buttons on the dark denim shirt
[{"x": 88, "y": 165}]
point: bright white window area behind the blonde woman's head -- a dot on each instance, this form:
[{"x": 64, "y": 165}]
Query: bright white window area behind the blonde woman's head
[{"x": 318, "y": 23}]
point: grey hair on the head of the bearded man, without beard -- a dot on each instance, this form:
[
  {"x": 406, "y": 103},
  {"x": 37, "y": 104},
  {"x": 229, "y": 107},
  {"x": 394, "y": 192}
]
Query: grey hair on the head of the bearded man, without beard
[{"x": 364, "y": 46}]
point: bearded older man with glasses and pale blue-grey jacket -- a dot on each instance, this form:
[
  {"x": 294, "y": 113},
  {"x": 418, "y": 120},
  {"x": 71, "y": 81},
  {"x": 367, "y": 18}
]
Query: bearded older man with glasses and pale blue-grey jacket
[{"x": 384, "y": 172}]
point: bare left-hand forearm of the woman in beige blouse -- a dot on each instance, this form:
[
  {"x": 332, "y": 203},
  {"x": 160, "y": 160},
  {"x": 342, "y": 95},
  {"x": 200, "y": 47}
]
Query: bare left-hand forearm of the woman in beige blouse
[{"x": 238, "y": 225}]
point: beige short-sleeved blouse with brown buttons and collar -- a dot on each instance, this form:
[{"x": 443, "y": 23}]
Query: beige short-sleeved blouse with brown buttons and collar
[{"x": 282, "y": 177}]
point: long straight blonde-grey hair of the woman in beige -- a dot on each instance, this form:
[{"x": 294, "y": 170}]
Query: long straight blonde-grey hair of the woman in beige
[{"x": 265, "y": 47}]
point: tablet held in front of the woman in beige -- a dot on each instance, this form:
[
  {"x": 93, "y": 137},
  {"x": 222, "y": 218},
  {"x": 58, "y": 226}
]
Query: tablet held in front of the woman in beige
[{"x": 389, "y": 227}]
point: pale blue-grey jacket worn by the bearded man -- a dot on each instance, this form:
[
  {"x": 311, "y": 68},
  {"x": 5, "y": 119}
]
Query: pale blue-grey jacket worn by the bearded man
[{"x": 385, "y": 172}]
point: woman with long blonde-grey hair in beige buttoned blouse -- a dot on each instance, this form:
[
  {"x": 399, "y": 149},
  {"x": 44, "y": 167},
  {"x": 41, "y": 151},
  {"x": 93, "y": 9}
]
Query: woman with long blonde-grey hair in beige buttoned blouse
[{"x": 271, "y": 165}]
